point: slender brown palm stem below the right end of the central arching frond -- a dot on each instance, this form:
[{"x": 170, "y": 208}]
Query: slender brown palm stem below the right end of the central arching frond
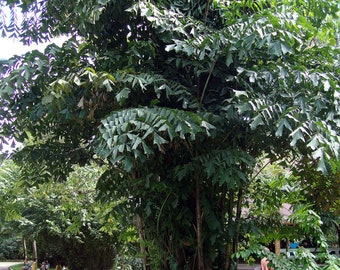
[{"x": 199, "y": 224}]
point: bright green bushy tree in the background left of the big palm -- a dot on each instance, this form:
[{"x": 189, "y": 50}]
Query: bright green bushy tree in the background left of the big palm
[{"x": 63, "y": 218}]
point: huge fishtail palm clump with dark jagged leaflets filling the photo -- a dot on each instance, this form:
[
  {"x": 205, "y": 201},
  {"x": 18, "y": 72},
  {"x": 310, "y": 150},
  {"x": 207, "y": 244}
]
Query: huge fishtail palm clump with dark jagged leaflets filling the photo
[{"x": 179, "y": 98}]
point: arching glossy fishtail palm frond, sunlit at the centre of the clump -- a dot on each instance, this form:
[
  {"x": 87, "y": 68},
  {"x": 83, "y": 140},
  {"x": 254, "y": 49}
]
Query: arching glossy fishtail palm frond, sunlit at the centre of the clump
[{"x": 139, "y": 132}]
